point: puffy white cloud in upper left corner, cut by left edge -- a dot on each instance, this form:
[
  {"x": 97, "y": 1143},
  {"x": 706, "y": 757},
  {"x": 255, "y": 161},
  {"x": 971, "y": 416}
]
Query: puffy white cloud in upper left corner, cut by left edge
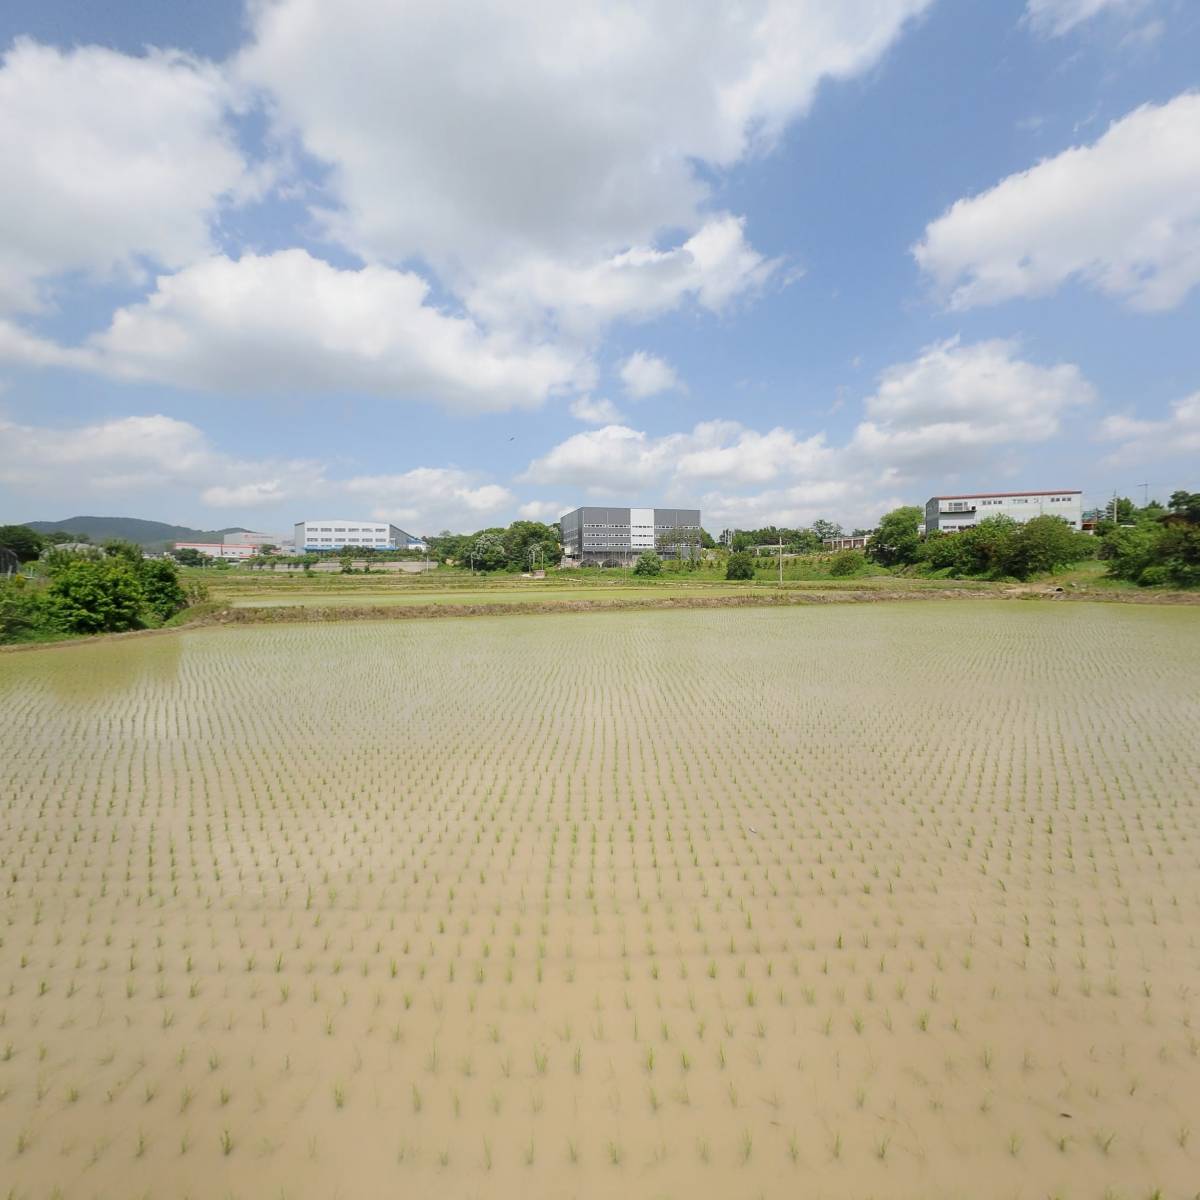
[{"x": 111, "y": 161}]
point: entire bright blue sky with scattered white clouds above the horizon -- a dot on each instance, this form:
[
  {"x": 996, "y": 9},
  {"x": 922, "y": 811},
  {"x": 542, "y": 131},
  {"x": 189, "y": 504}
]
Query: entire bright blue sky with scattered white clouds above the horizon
[{"x": 454, "y": 263}]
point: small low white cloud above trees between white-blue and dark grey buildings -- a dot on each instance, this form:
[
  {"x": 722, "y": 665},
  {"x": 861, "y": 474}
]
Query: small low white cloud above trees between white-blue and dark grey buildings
[{"x": 430, "y": 499}]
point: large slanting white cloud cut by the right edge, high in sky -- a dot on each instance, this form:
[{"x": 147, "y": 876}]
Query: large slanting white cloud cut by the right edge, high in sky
[{"x": 1123, "y": 215}]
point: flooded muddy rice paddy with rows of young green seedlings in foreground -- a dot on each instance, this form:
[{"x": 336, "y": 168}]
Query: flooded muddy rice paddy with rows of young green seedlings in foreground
[{"x": 893, "y": 901}]
